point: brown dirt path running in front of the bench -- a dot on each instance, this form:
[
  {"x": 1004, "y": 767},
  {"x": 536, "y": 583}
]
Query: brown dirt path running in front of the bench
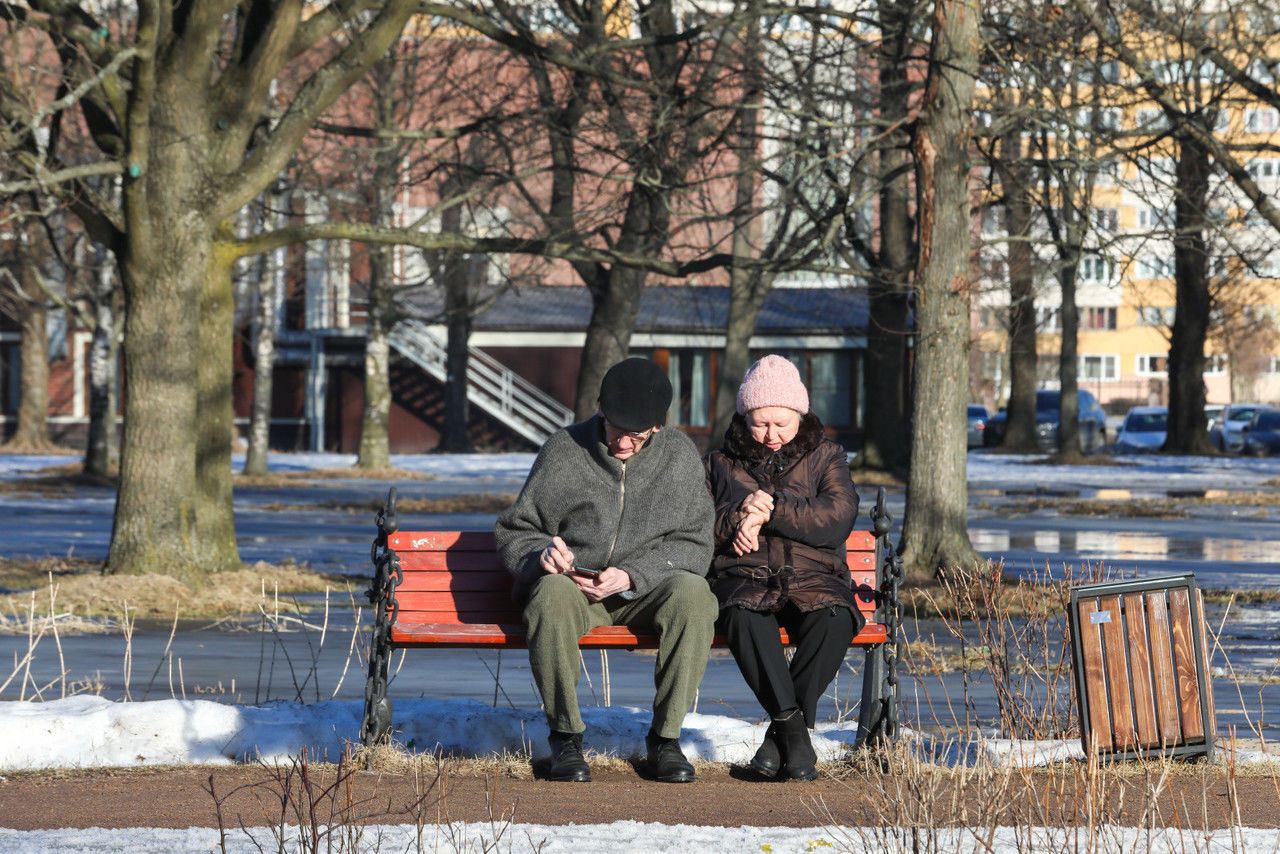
[{"x": 723, "y": 797}]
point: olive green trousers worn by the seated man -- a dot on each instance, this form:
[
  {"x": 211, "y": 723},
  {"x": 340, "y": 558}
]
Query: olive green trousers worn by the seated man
[{"x": 682, "y": 611}]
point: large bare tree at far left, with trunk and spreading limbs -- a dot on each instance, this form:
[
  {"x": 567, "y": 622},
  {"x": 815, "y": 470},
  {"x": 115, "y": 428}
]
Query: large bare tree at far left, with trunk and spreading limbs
[{"x": 177, "y": 99}]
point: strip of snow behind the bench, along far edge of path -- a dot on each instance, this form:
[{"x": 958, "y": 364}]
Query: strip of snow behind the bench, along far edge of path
[{"x": 89, "y": 732}]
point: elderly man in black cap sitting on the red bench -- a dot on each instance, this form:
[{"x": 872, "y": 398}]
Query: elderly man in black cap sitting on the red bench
[{"x": 614, "y": 527}]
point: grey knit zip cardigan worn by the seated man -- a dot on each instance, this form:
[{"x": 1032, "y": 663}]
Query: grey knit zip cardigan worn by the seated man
[{"x": 651, "y": 515}]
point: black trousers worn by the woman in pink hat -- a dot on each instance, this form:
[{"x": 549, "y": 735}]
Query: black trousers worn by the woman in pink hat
[{"x": 821, "y": 640}]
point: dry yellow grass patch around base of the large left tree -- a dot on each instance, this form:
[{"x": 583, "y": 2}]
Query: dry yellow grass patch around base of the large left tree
[{"x": 241, "y": 593}]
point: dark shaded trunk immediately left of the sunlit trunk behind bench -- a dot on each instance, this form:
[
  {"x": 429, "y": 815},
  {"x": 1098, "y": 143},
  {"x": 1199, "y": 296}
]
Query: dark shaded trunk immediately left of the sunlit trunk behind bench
[{"x": 885, "y": 371}]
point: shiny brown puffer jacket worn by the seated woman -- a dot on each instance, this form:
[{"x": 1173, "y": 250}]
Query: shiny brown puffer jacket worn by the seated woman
[{"x": 802, "y": 552}]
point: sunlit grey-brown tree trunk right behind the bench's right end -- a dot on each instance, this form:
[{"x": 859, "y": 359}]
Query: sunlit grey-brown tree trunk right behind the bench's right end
[{"x": 935, "y": 528}]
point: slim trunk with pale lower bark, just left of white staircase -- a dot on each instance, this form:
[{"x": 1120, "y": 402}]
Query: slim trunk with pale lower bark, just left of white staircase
[{"x": 376, "y": 413}]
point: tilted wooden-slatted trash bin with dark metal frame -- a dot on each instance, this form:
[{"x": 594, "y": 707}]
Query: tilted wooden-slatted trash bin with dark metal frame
[{"x": 1142, "y": 681}]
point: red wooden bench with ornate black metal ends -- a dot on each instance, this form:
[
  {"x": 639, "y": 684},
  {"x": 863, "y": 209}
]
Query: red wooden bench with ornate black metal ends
[{"x": 451, "y": 590}]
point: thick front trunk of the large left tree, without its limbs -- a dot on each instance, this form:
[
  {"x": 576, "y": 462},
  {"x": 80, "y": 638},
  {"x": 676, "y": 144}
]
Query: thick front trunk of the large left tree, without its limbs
[{"x": 166, "y": 258}]
